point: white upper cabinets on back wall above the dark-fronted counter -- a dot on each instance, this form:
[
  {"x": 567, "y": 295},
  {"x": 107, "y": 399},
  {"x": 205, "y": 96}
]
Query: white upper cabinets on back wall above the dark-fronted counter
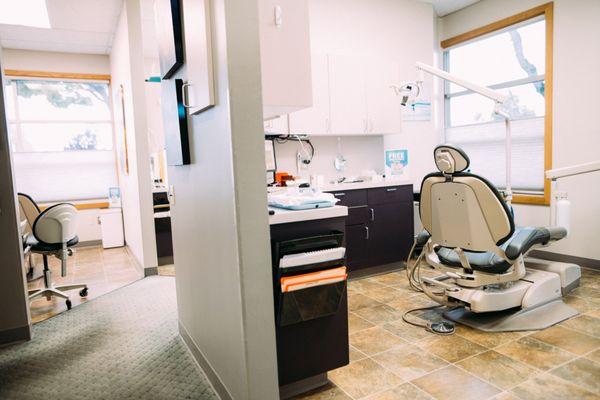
[{"x": 351, "y": 96}]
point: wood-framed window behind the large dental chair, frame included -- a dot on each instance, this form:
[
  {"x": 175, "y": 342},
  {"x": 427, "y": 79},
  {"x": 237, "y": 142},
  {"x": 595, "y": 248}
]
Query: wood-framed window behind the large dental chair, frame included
[{"x": 512, "y": 56}]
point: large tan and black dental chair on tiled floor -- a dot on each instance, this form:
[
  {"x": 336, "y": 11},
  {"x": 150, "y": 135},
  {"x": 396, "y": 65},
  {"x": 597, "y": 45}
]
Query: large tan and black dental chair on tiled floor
[{"x": 471, "y": 242}]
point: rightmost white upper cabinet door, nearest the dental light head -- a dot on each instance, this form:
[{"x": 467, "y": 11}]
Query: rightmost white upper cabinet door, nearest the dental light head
[{"x": 383, "y": 106}]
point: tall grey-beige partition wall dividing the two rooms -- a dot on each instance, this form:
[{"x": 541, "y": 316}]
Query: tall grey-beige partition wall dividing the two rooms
[{"x": 219, "y": 219}]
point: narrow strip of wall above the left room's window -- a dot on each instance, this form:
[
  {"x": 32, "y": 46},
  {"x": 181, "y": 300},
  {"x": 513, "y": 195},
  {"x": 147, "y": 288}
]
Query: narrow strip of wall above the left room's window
[{"x": 29, "y": 60}]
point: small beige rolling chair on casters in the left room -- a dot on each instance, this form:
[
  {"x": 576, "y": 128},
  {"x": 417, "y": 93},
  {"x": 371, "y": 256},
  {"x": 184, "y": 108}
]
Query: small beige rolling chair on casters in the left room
[{"x": 52, "y": 233}]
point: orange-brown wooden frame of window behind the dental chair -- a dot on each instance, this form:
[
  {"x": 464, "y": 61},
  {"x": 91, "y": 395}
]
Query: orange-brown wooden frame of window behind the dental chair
[{"x": 547, "y": 11}]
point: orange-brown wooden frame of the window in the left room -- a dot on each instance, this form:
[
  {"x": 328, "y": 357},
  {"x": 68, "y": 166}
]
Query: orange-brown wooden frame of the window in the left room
[{"x": 71, "y": 76}]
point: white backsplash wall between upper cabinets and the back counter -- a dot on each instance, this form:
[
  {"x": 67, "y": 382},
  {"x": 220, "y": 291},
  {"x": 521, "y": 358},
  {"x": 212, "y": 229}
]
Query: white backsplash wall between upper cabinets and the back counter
[{"x": 361, "y": 153}]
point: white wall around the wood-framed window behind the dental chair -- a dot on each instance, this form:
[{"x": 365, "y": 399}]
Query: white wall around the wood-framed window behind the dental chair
[{"x": 576, "y": 136}]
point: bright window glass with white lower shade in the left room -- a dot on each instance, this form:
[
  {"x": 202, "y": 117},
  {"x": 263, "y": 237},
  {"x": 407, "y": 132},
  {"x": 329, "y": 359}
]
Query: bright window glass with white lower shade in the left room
[{"x": 61, "y": 137}]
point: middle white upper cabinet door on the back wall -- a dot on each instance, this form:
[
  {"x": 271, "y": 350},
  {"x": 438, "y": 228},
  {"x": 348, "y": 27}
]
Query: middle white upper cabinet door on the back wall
[{"x": 347, "y": 95}]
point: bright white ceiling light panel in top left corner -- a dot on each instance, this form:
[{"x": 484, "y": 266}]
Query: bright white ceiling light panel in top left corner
[{"x": 24, "y": 12}]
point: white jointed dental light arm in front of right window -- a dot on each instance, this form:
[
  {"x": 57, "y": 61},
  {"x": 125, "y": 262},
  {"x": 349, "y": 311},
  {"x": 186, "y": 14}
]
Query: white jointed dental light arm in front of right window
[{"x": 499, "y": 99}]
